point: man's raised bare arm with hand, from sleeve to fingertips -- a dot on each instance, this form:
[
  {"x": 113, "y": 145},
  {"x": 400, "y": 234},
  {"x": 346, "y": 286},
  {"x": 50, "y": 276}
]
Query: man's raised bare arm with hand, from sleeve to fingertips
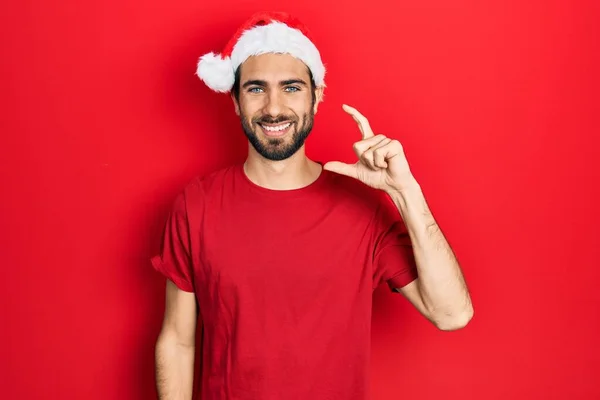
[{"x": 440, "y": 292}]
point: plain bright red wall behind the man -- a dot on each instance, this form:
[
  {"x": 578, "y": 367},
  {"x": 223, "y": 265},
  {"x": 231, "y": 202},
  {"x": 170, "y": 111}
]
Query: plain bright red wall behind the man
[{"x": 496, "y": 103}]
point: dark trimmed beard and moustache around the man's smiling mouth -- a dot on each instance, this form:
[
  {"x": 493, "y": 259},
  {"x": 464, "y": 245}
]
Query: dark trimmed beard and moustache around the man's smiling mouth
[{"x": 277, "y": 149}]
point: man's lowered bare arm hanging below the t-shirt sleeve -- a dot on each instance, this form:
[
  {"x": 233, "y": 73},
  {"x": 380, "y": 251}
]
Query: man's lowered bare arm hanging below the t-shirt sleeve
[{"x": 175, "y": 346}]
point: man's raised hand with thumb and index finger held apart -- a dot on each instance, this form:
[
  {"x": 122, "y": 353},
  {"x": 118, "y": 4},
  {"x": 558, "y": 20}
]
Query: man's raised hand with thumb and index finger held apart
[{"x": 381, "y": 162}]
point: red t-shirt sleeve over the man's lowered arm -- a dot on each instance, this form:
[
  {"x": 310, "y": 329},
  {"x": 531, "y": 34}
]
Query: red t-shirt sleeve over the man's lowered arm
[{"x": 174, "y": 259}]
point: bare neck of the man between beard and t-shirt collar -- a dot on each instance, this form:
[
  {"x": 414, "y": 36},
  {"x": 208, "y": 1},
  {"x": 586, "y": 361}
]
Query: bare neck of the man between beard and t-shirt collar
[{"x": 293, "y": 173}]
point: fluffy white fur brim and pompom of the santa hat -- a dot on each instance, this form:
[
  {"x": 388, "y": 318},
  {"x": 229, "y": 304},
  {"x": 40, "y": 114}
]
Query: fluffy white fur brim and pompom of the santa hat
[{"x": 219, "y": 73}]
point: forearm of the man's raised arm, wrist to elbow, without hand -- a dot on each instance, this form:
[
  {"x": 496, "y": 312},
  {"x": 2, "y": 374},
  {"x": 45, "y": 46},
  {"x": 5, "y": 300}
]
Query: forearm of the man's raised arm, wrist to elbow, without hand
[{"x": 441, "y": 284}]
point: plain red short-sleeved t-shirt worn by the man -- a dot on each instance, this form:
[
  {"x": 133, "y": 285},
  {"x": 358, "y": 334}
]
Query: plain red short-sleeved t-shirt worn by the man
[{"x": 284, "y": 282}]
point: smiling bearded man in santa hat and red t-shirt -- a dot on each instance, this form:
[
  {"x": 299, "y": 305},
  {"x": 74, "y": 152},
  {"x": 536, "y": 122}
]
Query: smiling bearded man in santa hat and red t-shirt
[{"x": 277, "y": 258}]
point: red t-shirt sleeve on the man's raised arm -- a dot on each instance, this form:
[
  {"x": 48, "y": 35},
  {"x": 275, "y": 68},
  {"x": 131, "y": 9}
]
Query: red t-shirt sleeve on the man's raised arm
[{"x": 394, "y": 261}]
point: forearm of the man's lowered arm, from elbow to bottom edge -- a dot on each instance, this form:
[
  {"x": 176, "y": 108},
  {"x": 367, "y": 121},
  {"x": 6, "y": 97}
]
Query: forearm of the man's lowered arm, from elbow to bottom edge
[{"x": 174, "y": 369}]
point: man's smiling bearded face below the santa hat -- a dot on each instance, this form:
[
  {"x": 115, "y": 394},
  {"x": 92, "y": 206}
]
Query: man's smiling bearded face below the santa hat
[{"x": 276, "y": 104}]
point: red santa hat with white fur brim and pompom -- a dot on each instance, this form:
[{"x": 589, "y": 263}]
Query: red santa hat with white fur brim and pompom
[{"x": 273, "y": 32}]
